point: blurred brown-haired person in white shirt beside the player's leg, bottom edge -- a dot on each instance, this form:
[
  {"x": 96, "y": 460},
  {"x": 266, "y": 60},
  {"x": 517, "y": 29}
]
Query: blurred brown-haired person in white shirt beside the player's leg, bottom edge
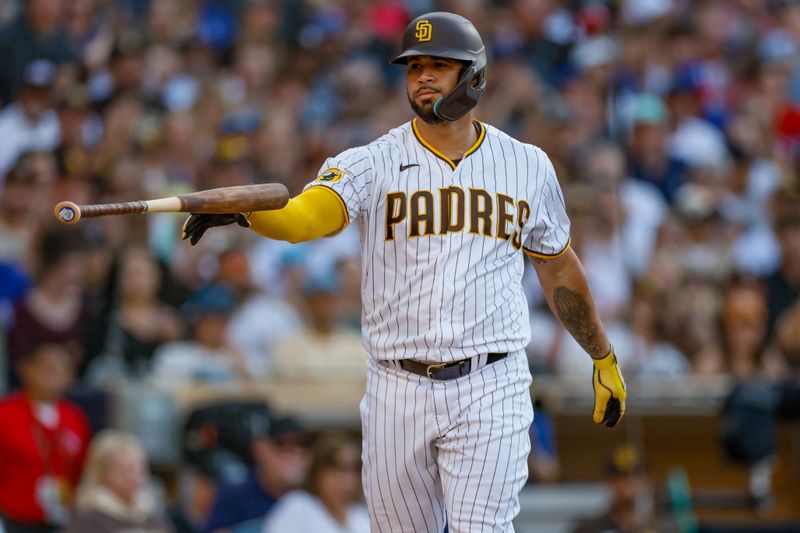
[{"x": 330, "y": 500}]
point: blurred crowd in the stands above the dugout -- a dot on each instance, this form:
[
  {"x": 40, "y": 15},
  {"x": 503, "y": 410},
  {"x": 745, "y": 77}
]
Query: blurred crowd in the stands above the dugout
[{"x": 674, "y": 127}]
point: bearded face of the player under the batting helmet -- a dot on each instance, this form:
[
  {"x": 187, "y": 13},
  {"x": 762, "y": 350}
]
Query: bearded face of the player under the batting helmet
[{"x": 428, "y": 79}]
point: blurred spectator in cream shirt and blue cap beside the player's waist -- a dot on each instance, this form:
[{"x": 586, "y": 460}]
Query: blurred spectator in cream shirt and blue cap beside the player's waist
[{"x": 325, "y": 350}]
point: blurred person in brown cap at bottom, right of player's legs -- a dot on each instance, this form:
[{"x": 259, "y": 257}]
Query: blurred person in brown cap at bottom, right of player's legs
[{"x": 631, "y": 496}]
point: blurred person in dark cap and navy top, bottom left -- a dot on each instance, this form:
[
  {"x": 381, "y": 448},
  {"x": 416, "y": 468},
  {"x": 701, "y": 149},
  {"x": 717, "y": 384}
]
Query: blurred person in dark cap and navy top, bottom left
[{"x": 279, "y": 448}]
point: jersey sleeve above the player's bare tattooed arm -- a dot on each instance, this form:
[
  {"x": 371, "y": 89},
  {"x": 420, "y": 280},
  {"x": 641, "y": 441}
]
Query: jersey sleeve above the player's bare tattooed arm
[{"x": 548, "y": 237}]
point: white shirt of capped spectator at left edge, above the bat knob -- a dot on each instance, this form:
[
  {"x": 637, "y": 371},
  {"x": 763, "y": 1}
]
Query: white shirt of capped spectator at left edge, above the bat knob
[{"x": 20, "y": 135}]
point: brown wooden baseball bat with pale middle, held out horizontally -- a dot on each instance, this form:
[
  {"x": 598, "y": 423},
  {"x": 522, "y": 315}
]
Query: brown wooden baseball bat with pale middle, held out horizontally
[{"x": 241, "y": 198}]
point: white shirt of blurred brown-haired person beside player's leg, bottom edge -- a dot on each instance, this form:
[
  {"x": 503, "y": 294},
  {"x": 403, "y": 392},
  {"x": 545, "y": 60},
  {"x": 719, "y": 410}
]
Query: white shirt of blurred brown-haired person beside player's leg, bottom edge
[{"x": 300, "y": 512}]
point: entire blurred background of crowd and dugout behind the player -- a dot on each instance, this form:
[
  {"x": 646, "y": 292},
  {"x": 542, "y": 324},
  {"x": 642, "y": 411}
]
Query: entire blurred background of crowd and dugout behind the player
[{"x": 193, "y": 387}]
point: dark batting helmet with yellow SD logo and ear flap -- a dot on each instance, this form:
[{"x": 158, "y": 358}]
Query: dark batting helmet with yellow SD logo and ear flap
[{"x": 448, "y": 35}]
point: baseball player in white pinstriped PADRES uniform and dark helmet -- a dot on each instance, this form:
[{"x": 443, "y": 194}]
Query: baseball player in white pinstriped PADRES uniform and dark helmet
[{"x": 447, "y": 207}]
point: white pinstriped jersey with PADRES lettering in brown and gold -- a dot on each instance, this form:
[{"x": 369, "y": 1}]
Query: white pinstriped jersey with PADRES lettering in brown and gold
[{"x": 442, "y": 244}]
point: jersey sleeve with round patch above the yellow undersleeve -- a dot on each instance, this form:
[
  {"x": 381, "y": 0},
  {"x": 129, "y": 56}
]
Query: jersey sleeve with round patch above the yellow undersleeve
[{"x": 349, "y": 175}]
